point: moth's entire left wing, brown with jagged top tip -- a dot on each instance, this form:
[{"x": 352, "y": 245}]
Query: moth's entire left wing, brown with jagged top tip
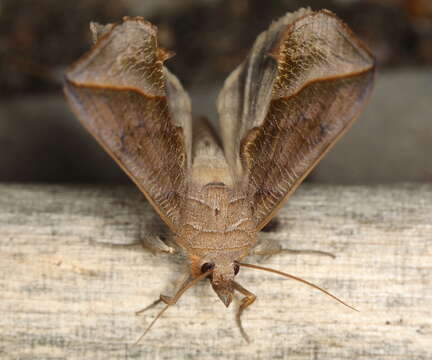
[{"x": 136, "y": 109}]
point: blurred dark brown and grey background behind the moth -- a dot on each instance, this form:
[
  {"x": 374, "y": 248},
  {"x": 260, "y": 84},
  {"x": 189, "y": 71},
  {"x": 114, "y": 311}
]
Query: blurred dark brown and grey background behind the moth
[{"x": 40, "y": 140}]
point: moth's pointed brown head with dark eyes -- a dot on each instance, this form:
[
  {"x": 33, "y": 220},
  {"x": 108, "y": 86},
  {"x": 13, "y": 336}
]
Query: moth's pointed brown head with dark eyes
[{"x": 221, "y": 278}]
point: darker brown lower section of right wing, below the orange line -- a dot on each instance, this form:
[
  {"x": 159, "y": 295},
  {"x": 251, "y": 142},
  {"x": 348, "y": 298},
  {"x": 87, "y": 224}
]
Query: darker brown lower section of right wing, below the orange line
[{"x": 296, "y": 133}]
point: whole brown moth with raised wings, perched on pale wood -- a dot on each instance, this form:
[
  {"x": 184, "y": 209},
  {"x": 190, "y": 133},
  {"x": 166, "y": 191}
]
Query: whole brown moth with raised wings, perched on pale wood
[{"x": 303, "y": 84}]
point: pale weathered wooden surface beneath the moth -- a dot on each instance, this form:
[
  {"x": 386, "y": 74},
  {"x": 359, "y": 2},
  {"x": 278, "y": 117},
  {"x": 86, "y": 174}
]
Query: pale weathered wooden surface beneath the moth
[{"x": 66, "y": 292}]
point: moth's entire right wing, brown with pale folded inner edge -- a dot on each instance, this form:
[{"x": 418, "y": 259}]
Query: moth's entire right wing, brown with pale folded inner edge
[{"x": 304, "y": 82}]
